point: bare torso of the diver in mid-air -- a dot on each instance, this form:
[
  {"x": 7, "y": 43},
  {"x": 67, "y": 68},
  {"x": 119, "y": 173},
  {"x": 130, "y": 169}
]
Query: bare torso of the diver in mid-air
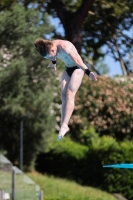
[{"x": 64, "y": 49}]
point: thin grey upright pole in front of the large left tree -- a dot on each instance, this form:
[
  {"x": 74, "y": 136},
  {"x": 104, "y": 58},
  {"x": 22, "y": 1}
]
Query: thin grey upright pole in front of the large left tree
[{"x": 21, "y": 143}]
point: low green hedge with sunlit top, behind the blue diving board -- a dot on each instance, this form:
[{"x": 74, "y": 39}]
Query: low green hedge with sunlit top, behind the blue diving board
[{"x": 84, "y": 163}]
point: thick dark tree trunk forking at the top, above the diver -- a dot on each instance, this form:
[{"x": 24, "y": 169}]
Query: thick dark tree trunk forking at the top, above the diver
[{"x": 72, "y": 21}]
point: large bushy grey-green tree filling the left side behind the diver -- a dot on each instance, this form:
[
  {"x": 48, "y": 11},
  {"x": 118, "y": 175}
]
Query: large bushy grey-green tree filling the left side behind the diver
[{"x": 26, "y": 86}]
